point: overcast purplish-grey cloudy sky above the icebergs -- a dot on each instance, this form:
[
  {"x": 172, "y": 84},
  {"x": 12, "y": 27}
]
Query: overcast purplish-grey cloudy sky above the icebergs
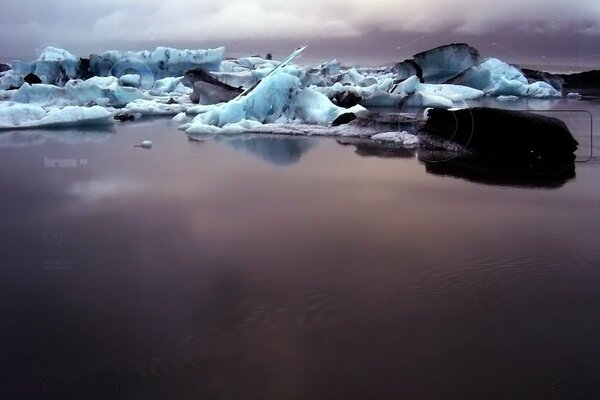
[{"x": 546, "y": 32}]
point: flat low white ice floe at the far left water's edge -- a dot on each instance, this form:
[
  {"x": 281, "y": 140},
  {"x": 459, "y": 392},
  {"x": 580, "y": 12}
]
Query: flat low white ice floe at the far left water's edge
[{"x": 17, "y": 116}]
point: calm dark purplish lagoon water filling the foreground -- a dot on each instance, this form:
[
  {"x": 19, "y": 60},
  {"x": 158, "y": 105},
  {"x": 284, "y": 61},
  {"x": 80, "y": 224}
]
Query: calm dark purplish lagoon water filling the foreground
[{"x": 287, "y": 268}]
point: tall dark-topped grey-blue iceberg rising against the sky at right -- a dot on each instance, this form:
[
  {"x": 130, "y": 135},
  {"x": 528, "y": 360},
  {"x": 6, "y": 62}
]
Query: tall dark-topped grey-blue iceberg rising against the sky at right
[{"x": 443, "y": 63}]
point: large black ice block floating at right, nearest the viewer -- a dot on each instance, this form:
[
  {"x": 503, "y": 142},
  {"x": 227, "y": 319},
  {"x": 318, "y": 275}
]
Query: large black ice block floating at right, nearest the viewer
[{"x": 525, "y": 137}]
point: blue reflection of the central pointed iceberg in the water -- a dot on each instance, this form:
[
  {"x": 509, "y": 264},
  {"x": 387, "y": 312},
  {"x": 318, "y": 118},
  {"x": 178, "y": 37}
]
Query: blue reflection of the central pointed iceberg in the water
[{"x": 277, "y": 150}]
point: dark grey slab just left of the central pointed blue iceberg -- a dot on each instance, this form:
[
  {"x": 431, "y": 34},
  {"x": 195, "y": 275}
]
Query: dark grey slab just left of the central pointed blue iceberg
[{"x": 208, "y": 89}]
